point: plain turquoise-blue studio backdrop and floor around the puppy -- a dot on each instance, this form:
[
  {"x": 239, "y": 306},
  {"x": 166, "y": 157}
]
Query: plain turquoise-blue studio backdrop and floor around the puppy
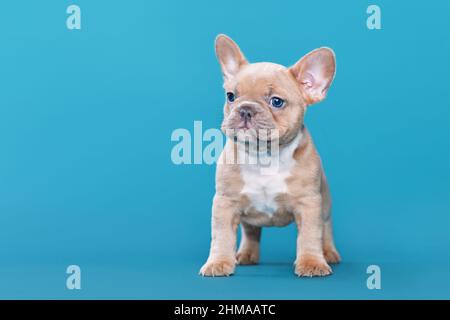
[{"x": 86, "y": 118}]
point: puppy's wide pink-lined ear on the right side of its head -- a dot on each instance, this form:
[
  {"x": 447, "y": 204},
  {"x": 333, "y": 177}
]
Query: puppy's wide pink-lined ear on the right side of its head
[{"x": 314, "y": 73}]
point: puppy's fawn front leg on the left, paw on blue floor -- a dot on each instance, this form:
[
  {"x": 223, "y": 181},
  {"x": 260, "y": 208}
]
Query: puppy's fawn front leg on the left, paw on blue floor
[{"x": 222, "y": 255}]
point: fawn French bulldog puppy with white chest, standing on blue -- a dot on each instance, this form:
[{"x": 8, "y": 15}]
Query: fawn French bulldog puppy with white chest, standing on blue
[{"x": 268, "y": 96}]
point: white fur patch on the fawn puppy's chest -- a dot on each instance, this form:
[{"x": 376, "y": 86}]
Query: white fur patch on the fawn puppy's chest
[{"x": 262, "y": 185}]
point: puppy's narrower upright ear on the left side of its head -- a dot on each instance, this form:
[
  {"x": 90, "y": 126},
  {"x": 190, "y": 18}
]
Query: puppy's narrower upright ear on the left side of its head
[{"x": 229, "y": 55}]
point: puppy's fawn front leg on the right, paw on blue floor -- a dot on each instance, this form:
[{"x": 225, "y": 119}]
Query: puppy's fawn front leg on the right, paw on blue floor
[{"x": 310, "y": 259}]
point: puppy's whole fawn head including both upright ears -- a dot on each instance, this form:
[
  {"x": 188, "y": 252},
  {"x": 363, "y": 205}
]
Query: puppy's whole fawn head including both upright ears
[{"x": 267, "y": 100}]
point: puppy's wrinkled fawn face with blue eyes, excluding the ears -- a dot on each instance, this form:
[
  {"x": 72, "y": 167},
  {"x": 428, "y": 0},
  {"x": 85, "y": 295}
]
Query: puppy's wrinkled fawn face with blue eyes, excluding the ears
[{"x": 263, "y": 97}]
